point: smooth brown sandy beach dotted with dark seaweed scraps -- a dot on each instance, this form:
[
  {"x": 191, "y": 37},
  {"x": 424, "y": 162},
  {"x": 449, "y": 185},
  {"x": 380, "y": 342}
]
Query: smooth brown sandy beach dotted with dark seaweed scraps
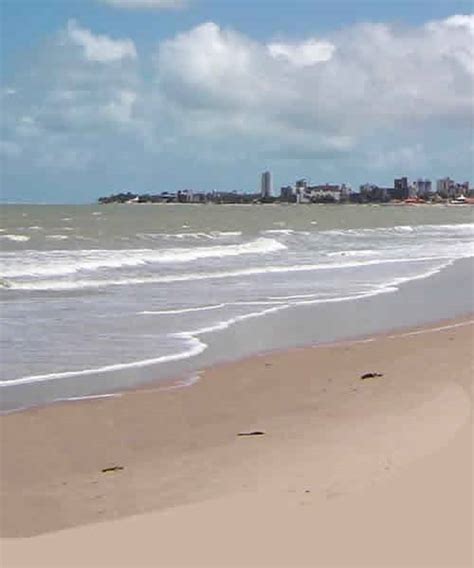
[{"x": 348, "y": 472}]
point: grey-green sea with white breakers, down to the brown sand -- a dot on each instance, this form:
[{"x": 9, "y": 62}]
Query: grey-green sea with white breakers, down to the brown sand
[{"x": 95, "y": 299}]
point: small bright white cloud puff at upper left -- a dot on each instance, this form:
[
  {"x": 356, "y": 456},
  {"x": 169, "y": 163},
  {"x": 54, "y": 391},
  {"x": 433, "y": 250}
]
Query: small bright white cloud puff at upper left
[{"x": 100, "y": 48}]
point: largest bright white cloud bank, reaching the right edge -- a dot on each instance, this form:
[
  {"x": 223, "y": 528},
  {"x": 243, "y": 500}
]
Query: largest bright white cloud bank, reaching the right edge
[{"x": 367, "y": 77}]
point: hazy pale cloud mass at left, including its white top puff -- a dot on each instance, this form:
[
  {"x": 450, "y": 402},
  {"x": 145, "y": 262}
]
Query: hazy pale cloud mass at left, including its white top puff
[{"x": 77, "y": 111}]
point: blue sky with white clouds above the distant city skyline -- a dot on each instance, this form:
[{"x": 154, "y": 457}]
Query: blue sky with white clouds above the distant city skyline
[{"x": 103, "y": 96}]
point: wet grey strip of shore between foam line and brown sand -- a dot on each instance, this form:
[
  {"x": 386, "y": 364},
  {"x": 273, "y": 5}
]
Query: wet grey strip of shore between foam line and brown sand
[{"x": 419, "y": 302}]
